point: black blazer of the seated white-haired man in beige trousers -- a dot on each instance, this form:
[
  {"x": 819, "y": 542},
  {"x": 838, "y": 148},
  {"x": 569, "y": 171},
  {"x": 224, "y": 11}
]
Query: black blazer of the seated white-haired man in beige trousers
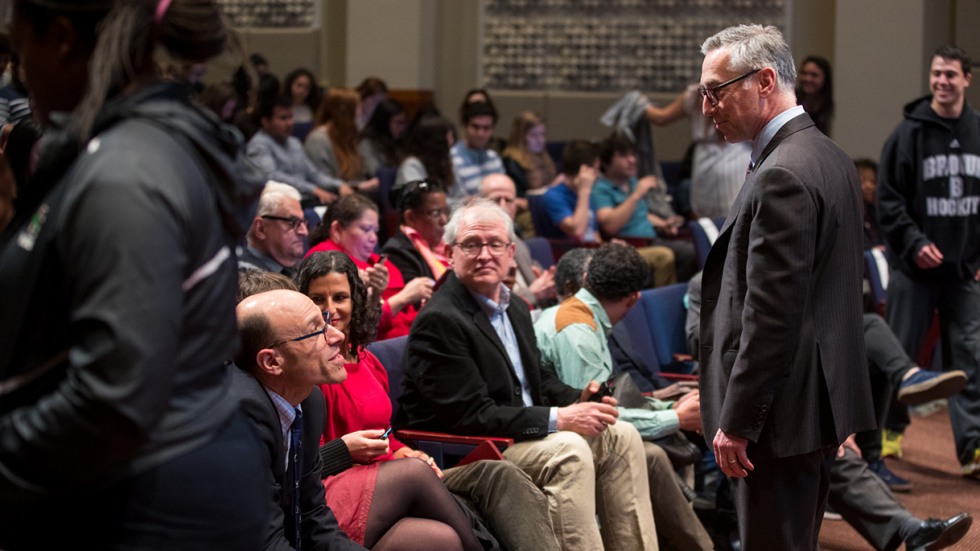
[{"x": 459, "y": 379}]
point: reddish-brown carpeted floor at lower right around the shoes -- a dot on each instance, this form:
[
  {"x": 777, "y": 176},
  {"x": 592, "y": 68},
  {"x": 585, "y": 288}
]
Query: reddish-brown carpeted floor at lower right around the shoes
[{"x": 938, "y": 490}]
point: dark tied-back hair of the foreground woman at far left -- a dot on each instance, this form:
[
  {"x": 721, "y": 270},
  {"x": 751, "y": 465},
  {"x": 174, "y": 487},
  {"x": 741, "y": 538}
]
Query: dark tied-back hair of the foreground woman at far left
[{"x": 122, "y": 36}]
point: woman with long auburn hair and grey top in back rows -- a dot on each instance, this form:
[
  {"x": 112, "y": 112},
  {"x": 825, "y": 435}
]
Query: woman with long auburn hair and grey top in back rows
[{"x": 332, "y": 145}]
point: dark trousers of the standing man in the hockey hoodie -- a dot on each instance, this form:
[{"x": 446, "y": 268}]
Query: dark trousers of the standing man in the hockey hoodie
[{"x": 910, "y": 308}]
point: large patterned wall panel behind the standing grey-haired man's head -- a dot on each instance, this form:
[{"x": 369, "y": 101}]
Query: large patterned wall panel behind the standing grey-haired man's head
[{"x": 607, "y": 45}]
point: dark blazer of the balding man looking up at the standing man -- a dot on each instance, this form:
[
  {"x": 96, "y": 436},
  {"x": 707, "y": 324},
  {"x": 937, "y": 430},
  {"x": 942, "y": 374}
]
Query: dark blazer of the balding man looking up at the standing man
[{"x": 318, "y": 526}]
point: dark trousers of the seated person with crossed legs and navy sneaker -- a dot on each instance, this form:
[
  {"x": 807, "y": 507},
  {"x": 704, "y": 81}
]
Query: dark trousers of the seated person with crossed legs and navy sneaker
[{"x": 888, "y": 362}]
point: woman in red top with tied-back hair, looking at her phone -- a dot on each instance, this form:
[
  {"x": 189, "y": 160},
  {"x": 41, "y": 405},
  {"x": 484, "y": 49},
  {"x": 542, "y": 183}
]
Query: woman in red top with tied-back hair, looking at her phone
[{"x": 352, "y": 227}]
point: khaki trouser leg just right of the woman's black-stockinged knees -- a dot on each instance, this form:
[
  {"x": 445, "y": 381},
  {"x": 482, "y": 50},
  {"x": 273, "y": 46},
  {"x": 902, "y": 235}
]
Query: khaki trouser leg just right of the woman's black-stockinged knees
[{"x": 514, "y": 508}]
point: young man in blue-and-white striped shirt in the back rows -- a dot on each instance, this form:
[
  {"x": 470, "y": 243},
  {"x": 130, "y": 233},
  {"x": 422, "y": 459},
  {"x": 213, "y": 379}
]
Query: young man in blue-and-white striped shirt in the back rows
[{"x": 472, "y": 157}]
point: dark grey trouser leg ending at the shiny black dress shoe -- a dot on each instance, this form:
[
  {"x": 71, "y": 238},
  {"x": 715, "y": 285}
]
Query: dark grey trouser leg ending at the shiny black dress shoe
[{"x": 865, "y": 502}]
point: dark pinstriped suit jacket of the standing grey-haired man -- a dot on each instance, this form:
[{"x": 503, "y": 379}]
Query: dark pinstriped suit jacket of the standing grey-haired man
[{"x": 782, "y": 351}]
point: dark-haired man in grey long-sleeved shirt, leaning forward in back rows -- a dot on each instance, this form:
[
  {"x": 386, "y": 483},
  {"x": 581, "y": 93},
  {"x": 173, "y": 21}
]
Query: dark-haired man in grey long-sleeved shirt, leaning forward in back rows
[{"x": 280, "y": 155}]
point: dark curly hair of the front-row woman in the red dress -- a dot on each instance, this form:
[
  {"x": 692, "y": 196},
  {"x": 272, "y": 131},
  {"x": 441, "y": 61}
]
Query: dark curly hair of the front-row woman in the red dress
[{"x": 363, "y": 327}]
